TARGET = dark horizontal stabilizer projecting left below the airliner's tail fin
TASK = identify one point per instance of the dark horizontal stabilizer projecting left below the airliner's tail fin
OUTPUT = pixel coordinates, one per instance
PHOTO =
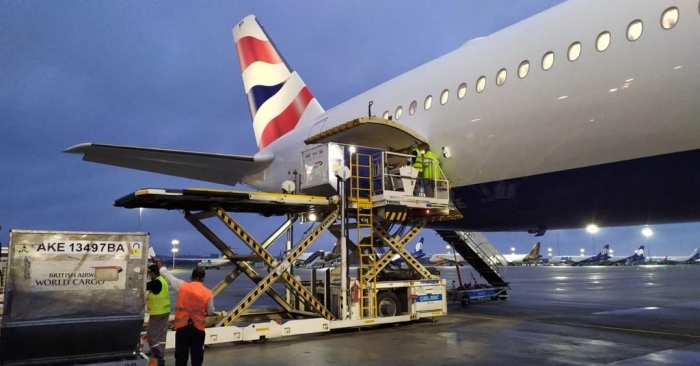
(208, 167)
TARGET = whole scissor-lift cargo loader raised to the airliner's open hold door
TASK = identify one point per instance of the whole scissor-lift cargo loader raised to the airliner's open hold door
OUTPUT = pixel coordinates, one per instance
(363, 190)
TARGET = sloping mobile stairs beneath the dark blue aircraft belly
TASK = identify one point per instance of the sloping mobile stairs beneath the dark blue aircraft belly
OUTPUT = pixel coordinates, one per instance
(479, 253)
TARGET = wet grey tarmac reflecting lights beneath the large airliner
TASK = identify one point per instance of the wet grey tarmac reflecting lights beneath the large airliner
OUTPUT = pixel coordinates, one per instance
(642, 315)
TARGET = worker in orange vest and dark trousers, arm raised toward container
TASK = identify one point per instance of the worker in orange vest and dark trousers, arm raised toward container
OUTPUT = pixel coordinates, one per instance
(194, 302)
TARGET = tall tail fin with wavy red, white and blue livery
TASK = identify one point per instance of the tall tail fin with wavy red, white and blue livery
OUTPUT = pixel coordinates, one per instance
(278, 98)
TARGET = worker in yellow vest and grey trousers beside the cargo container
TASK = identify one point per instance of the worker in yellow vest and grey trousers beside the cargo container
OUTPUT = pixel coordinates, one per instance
(158, 306)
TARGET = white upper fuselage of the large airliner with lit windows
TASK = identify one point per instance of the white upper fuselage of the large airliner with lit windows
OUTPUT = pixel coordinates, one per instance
(633, 100)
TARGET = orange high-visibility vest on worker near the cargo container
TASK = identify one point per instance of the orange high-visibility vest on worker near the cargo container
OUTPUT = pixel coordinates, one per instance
(192, 304)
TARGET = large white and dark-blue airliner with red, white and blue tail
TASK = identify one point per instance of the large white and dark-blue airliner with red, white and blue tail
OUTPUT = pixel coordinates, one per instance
(549, 123)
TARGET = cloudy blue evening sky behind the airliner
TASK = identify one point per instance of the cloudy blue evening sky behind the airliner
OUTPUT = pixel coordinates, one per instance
(165, 74)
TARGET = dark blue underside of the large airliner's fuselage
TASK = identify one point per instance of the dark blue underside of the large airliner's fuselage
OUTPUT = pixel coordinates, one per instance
(608, 195)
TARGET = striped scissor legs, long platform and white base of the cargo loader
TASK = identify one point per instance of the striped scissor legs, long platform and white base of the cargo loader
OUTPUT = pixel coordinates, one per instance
(426, 296)
